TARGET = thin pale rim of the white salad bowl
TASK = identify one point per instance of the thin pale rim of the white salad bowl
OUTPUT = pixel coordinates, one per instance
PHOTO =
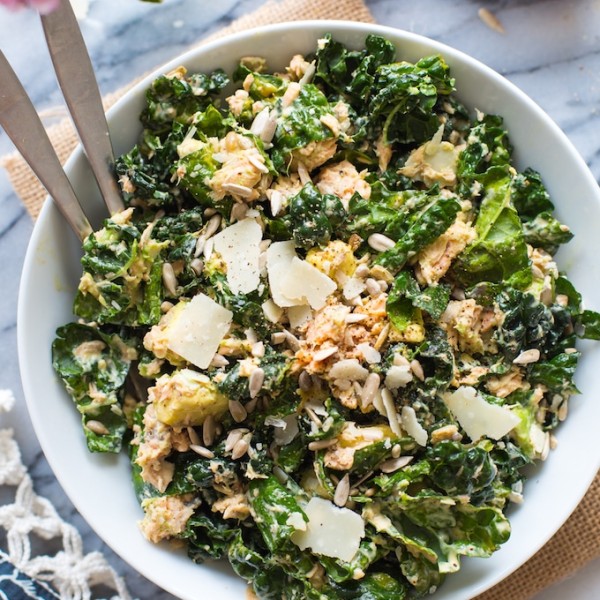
(185, 57)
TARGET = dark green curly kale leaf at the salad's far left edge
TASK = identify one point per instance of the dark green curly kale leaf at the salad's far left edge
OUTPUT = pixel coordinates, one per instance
(93, 366)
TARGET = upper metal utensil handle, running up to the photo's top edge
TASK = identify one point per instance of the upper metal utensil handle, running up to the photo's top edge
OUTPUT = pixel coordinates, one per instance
(76, 78)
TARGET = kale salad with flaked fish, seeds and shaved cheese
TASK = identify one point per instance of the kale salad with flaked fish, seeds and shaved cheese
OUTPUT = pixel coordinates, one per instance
(328, 327)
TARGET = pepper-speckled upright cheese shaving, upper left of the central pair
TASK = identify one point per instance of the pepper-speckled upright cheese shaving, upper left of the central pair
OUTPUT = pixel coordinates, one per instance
(239, 247)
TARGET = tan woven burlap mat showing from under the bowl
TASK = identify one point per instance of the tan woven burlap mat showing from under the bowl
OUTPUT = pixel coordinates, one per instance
(578, 541)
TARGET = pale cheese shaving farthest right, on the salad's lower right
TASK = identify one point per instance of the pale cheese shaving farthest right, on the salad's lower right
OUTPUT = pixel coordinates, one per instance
(478, 417)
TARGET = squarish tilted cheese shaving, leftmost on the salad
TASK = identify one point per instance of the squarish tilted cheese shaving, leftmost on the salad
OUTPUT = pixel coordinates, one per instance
(198, 330)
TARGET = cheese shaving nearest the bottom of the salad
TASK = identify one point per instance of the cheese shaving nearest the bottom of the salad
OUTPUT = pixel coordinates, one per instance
(330, 531)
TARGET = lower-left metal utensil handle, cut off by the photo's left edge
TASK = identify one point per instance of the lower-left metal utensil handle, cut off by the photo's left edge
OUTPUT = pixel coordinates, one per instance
(22, 124)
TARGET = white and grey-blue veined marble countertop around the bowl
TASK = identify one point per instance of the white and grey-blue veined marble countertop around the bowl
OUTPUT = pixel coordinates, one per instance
(550, 49)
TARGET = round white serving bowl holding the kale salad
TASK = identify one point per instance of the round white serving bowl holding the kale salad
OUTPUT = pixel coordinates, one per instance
(100, 486)
